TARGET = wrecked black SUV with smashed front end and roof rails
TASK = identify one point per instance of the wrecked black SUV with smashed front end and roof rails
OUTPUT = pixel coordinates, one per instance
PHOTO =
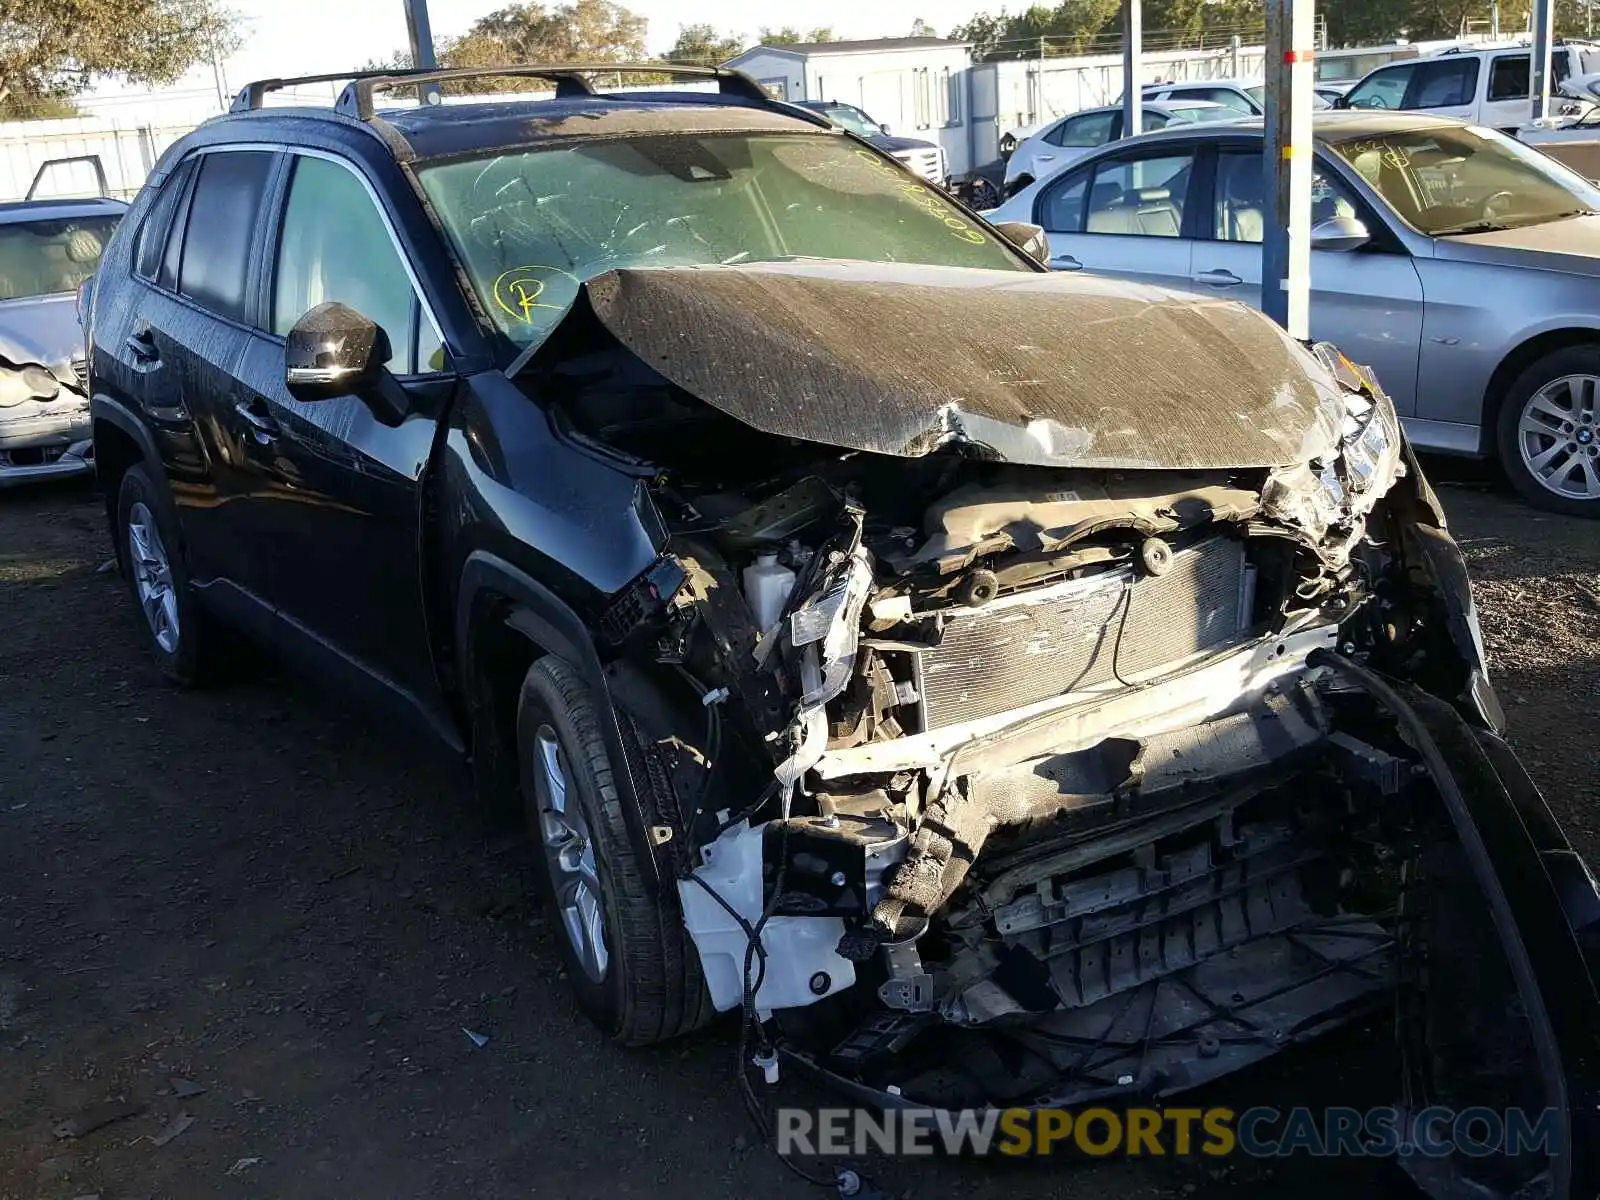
(948, 665)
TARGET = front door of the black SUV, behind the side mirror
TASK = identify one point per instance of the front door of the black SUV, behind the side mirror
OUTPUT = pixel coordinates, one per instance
(338, 494)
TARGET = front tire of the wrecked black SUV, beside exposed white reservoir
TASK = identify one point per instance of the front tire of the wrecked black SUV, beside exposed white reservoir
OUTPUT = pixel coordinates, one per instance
(650, 985)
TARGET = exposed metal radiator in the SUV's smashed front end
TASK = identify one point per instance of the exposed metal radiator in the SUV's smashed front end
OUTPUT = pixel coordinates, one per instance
(1034, 646)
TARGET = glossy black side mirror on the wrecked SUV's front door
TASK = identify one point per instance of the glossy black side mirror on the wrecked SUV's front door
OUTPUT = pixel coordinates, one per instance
(335, 351)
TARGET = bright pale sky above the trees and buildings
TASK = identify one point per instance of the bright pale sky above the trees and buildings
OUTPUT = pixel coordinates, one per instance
(306, 38)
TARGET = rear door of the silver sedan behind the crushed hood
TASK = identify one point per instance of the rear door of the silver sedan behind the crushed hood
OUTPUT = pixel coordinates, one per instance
(1124, 215)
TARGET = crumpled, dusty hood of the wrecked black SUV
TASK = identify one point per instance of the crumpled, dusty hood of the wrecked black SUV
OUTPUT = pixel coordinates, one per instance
(1031, 369)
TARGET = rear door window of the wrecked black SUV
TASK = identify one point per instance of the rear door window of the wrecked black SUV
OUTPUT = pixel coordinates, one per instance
(223, 215)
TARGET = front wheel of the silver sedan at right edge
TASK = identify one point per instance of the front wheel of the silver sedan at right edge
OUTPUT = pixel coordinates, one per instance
(1550, 433)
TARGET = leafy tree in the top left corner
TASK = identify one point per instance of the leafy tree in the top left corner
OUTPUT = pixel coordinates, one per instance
(54, 50)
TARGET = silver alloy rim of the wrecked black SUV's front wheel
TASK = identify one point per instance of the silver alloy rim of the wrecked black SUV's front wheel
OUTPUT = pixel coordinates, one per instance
(570, 854)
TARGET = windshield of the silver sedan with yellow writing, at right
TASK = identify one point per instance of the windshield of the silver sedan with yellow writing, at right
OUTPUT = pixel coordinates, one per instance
(1462, 180)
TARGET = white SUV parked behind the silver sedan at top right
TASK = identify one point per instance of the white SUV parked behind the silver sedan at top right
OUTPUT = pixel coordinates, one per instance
(1484, 87)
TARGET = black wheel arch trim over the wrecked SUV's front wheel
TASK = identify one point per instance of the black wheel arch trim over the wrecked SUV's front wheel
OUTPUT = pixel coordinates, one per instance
(551, 623)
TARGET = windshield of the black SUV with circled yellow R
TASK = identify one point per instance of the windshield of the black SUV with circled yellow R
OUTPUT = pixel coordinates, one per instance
(530, 228)
